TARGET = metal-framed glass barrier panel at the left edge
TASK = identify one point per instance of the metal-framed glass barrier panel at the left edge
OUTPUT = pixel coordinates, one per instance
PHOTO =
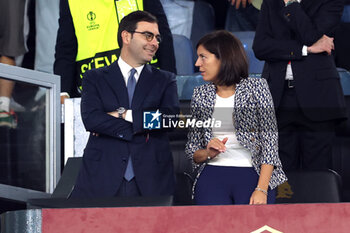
(30, 131)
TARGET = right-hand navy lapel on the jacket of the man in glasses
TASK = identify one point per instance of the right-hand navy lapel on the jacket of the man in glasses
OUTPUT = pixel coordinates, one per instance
(143, 87)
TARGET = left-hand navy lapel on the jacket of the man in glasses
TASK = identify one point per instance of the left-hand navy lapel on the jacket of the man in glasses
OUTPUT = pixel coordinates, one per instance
(116, 81)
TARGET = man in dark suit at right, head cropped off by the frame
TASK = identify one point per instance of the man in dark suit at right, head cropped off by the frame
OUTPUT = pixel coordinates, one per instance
(294, 37)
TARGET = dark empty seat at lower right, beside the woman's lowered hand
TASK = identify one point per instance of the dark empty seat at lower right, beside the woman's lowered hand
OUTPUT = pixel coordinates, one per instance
(319, 186)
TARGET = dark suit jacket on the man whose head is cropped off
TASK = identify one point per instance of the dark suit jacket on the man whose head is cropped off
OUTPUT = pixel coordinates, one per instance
(280, 35)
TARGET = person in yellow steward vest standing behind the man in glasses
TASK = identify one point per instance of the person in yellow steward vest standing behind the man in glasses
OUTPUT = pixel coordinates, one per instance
(87, 33)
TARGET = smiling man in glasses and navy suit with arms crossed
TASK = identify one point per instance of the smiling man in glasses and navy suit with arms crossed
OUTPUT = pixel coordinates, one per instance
(121, 157)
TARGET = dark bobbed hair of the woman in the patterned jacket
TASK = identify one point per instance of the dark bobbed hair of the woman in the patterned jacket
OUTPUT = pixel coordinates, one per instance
(229, 50)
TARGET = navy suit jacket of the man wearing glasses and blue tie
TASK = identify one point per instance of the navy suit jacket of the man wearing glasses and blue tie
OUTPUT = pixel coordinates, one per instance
(106, 155)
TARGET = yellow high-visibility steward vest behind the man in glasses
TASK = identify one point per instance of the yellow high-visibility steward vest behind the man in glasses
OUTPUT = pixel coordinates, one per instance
(96, 24)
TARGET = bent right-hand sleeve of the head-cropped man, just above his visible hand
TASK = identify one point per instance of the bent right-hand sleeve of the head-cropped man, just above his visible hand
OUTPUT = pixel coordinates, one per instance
(309, 30)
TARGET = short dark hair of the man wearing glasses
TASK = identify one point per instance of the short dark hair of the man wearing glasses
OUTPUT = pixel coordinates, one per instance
(129, 23)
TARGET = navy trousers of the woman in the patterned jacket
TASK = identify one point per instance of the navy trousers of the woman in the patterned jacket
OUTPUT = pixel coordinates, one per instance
(219, 185)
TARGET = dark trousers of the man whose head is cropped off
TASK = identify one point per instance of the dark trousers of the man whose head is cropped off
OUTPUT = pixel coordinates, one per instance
(303, 143)
